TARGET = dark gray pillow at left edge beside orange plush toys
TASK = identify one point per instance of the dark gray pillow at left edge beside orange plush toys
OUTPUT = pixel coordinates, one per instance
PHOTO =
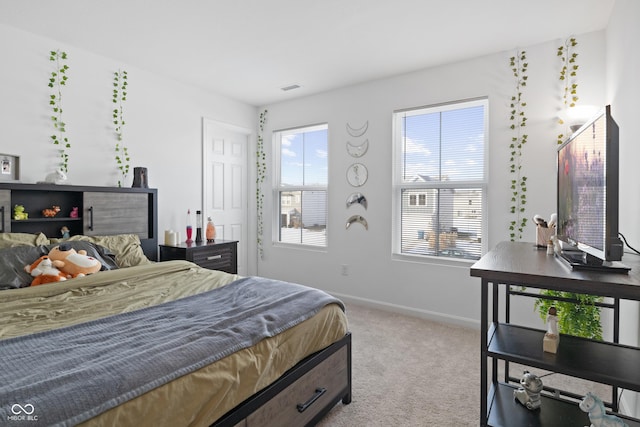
(12, 263)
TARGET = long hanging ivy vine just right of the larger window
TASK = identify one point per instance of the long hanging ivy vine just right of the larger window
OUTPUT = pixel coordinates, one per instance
(518, 120)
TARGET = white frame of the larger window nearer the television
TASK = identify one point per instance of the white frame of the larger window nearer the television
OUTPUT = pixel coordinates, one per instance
(398, 185)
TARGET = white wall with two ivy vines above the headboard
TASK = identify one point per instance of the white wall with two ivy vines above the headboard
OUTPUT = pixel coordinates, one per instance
(163, 130)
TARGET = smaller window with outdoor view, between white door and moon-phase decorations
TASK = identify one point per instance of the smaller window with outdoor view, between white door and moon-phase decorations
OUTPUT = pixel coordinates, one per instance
(301, 187)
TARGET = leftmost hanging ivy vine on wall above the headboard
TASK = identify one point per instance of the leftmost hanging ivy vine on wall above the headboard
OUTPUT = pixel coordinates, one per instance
(57, 79)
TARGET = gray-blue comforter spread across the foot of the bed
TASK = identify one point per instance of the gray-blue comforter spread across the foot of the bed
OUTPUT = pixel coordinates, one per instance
(68, 375)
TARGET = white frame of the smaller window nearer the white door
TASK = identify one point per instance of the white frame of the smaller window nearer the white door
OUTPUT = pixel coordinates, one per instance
(278, 188)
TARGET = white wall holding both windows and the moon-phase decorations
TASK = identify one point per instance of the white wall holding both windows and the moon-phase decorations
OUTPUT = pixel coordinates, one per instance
(433, 289)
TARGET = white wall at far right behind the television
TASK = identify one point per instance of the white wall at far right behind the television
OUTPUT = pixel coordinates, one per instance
(623, 92)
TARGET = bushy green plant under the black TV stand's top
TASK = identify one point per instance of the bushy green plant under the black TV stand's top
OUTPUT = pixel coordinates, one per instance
(580, 318)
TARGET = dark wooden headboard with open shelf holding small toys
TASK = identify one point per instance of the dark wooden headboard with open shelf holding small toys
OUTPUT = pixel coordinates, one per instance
(101, 211)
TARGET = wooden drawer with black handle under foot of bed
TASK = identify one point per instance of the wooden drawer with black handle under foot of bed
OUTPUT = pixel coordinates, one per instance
(301, 401)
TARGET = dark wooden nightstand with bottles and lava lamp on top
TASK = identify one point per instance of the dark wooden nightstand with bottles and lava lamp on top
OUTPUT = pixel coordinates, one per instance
(219, 255)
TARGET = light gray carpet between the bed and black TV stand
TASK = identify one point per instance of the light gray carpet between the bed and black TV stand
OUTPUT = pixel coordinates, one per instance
(409, 371)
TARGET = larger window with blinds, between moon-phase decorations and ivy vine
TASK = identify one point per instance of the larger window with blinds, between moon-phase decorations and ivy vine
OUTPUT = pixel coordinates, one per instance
(440, 179)
